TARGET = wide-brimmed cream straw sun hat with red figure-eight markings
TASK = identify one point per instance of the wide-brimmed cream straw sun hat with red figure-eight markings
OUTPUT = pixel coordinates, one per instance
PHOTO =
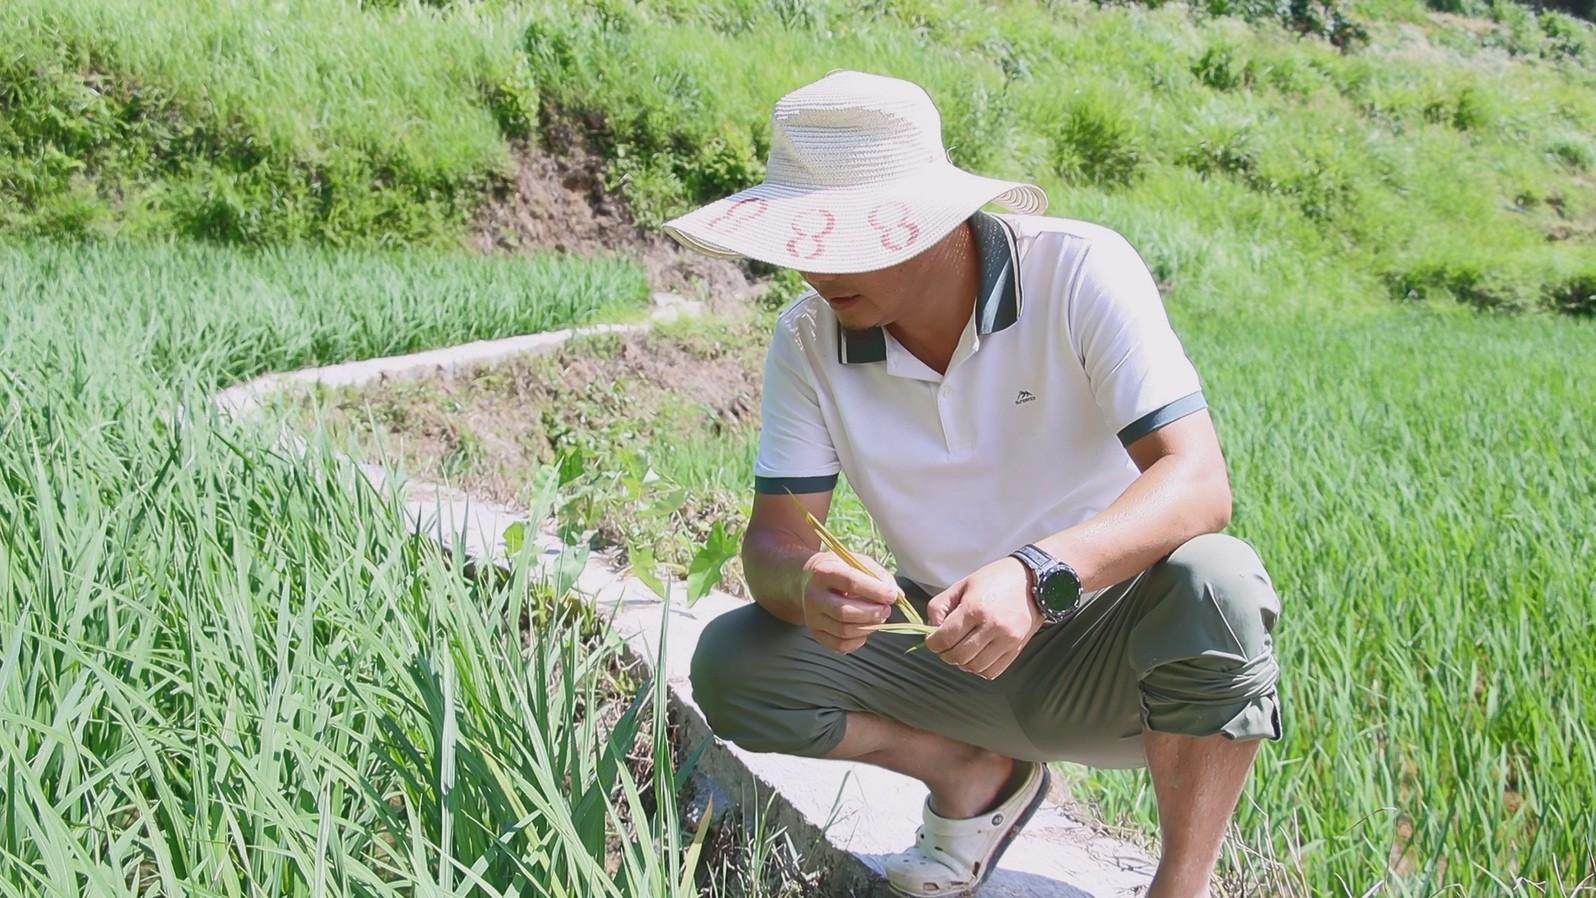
(858, 179)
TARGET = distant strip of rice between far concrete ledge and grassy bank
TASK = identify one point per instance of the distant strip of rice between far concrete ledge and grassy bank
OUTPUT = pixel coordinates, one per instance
(223, 317)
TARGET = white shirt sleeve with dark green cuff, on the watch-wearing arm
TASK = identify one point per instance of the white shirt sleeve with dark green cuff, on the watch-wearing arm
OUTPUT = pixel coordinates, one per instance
(1134, 361)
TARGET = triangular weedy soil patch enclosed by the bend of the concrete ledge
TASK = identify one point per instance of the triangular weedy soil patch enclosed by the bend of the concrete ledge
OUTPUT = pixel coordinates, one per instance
(670, 398)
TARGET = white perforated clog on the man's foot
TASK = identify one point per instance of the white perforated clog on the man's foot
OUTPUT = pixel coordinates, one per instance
(954, 857)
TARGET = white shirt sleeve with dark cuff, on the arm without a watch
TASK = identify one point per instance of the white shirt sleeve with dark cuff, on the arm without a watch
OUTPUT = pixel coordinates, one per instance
(796, 446)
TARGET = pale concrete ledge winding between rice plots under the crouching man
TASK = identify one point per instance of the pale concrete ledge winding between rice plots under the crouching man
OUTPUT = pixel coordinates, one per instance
(843, 817)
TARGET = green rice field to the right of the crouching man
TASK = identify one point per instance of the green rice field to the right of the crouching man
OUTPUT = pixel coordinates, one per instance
(1418, 487)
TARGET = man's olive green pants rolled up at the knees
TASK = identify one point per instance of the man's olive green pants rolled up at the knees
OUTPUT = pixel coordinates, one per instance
(1182, 648)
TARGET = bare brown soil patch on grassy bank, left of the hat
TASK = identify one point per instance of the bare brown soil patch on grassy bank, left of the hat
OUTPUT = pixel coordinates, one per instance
(561, 202)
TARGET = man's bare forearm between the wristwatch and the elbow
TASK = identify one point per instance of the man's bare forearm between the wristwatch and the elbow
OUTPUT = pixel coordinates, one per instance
(1174, 500)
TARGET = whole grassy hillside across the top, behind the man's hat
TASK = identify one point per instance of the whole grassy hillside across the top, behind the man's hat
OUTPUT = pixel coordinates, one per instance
(1442, 157)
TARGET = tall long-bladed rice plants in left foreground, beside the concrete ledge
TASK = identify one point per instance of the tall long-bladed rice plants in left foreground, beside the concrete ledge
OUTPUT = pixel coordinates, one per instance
(279, 688)
